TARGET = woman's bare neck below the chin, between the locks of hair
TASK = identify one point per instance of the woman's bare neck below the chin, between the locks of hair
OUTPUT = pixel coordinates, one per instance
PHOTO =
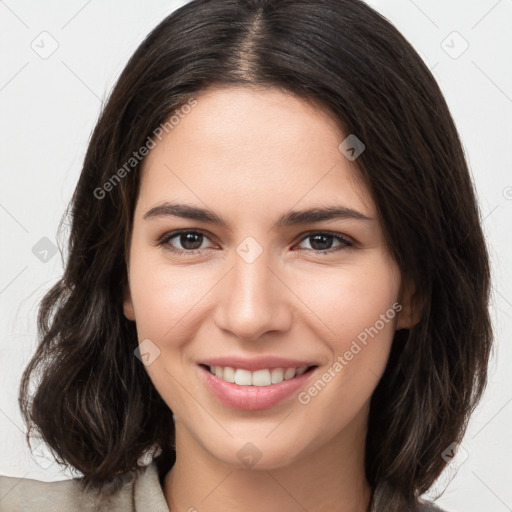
(330, 478)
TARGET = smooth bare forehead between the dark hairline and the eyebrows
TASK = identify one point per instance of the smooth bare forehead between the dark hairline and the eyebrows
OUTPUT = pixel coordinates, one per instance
(260, 148)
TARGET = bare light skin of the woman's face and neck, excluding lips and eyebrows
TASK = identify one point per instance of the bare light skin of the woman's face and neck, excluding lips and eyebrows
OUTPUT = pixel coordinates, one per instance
(250, 155)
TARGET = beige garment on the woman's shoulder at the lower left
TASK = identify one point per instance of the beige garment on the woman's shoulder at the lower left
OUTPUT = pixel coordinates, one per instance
(141, 491)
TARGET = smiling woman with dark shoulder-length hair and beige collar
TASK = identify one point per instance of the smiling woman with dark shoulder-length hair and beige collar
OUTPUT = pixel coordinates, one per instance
(277, 283)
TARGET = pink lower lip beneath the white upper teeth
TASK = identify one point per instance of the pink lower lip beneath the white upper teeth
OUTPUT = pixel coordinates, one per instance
(252, 398)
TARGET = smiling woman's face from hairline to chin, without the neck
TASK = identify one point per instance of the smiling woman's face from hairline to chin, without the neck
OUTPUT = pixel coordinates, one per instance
(320, 292)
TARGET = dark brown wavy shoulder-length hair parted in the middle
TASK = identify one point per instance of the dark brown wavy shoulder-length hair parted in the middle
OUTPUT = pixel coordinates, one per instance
(94, 404)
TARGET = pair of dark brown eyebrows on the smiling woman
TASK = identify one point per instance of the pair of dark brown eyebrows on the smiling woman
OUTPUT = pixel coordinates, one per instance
(288, 219)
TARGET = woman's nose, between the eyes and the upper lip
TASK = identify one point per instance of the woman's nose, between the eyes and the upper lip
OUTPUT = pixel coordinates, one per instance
(254, 300)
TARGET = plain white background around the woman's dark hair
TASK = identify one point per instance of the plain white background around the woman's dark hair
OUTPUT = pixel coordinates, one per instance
(49, 107)
